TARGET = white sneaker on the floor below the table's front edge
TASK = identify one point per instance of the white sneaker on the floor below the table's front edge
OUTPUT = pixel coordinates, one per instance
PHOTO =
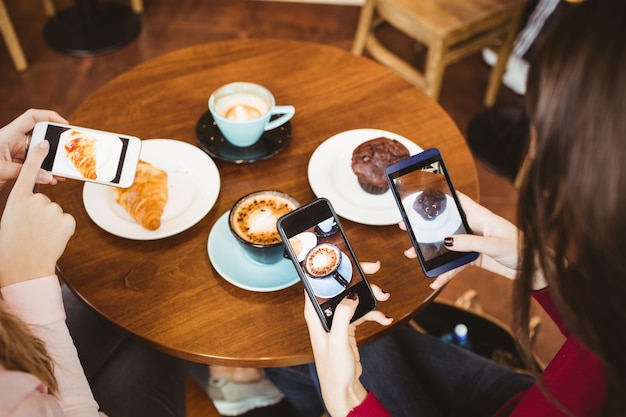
(236, 398)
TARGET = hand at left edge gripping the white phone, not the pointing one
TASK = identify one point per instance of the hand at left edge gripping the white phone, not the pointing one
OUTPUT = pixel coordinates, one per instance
(13, 145)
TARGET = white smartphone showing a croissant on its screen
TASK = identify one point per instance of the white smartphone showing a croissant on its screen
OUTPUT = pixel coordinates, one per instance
(88, 154)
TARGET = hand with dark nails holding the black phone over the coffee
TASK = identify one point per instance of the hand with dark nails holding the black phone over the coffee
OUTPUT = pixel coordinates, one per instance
(336, 354)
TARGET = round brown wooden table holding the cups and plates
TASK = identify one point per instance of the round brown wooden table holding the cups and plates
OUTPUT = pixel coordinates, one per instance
(165, 292)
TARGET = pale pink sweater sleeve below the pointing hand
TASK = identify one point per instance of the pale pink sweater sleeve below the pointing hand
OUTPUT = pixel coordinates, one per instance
(39, 304)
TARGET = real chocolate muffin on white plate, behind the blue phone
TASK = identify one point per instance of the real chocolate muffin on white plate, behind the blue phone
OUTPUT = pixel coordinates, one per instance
(370, 159)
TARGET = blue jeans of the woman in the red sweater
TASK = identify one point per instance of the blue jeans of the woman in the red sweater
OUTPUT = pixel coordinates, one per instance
(413, 374)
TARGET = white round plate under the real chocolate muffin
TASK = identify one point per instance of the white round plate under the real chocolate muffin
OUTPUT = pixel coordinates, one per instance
(330, 175)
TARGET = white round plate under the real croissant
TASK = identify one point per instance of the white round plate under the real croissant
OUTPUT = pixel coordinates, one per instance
(193, 187)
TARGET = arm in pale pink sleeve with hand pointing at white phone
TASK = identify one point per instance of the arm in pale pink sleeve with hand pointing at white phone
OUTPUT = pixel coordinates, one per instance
(33, 235)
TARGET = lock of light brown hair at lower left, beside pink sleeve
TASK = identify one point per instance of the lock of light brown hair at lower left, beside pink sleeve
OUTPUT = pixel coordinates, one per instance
(21, 351)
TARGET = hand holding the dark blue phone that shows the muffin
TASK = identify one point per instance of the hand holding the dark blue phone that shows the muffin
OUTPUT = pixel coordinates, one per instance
(495, 239)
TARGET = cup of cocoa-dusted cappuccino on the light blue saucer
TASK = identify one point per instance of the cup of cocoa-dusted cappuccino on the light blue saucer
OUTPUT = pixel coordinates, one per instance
(252, 221)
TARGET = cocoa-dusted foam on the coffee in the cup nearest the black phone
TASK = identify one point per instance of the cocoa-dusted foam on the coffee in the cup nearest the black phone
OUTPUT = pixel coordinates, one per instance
(255, 218)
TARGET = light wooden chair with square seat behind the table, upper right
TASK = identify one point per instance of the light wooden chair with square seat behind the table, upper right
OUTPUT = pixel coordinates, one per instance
(451, 29)
